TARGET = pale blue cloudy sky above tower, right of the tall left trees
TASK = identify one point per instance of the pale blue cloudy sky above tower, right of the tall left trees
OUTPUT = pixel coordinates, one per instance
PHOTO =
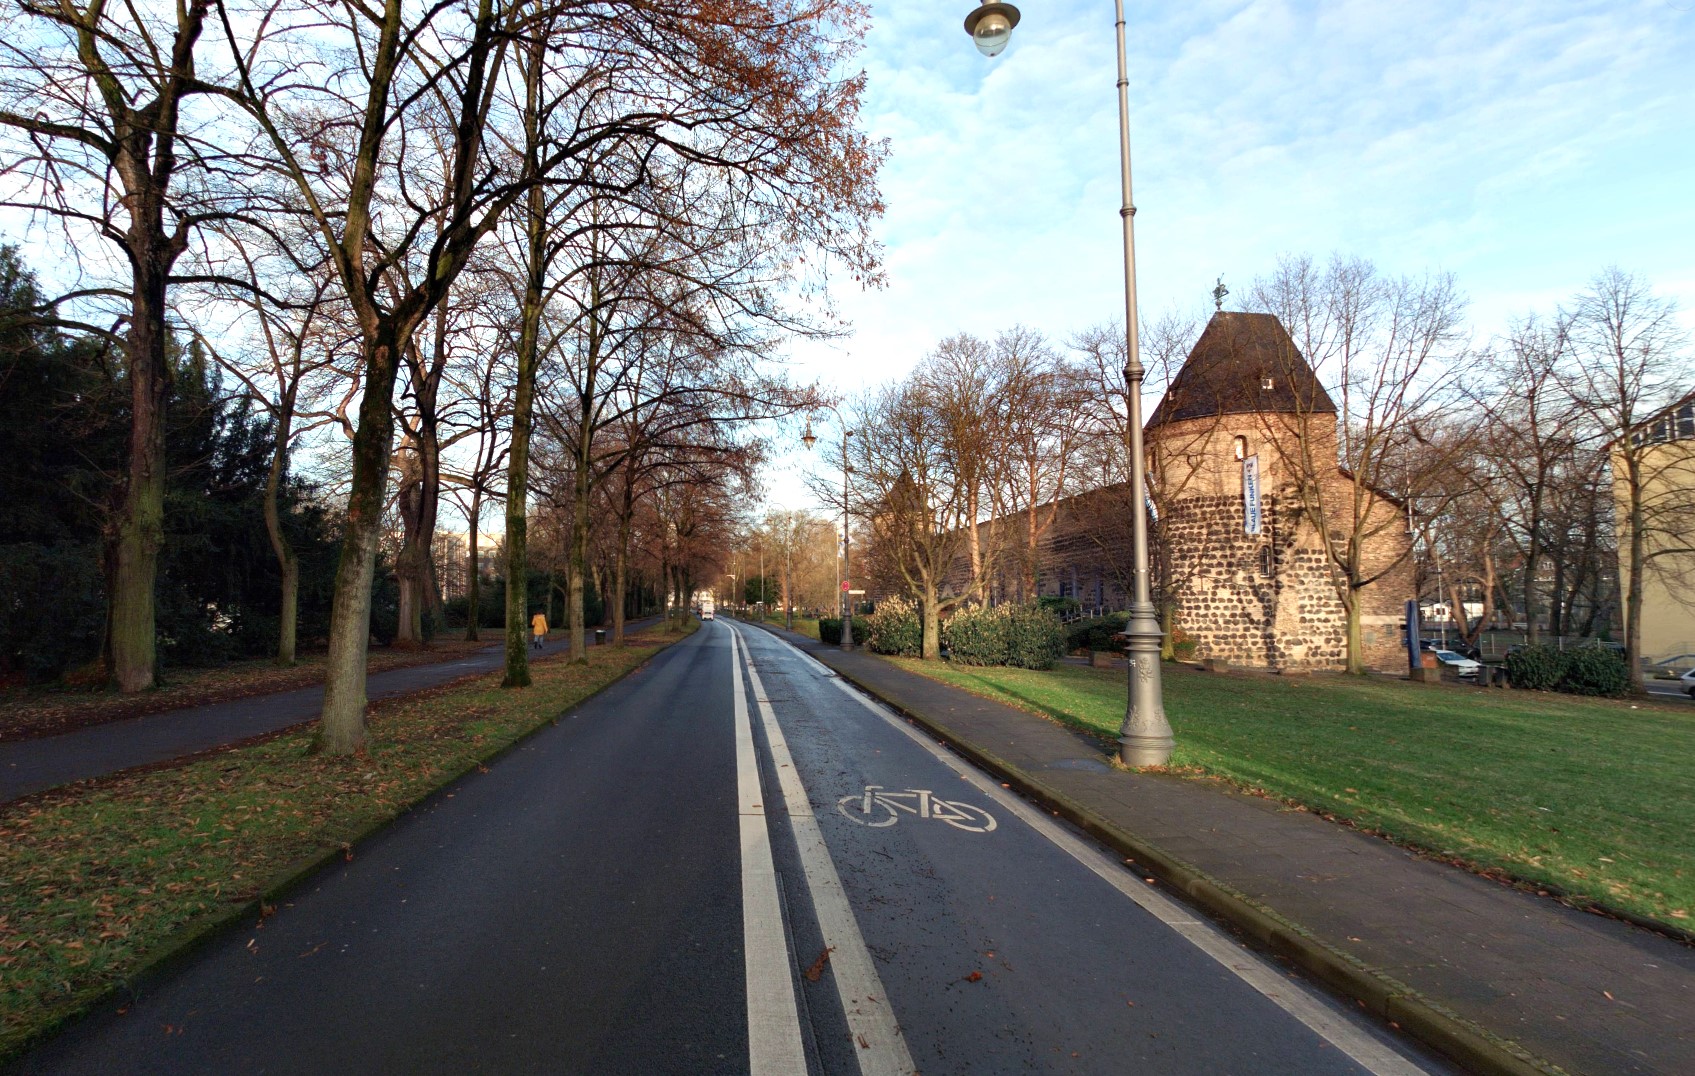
(1520, 147)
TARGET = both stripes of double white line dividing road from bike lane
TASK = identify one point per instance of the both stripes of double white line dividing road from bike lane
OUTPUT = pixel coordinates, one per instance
(774, 1024)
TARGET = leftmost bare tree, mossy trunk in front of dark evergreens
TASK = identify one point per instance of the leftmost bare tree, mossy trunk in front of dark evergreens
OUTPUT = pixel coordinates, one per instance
(99, 125)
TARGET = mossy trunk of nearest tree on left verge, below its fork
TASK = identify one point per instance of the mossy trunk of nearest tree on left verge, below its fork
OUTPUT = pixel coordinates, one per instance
(350, 621)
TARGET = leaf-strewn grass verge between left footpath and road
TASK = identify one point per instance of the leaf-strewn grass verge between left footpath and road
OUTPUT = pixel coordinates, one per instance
(99, 880)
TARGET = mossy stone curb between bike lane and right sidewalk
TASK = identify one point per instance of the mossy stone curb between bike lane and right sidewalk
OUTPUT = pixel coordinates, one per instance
(1381, 994)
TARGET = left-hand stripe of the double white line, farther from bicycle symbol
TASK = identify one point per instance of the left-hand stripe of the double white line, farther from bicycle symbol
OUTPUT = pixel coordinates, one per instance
(774, 1023)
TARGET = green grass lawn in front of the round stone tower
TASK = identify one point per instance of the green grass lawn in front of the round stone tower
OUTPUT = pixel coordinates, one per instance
(1596, 797)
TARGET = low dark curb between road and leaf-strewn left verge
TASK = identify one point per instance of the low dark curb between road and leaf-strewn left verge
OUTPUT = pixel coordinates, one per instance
(197, 935)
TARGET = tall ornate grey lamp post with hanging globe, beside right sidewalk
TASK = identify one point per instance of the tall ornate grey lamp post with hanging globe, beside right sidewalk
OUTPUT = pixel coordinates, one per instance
(1147, 736)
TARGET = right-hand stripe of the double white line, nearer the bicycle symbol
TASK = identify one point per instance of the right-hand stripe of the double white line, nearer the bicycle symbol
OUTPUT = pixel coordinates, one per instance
(882, 1050)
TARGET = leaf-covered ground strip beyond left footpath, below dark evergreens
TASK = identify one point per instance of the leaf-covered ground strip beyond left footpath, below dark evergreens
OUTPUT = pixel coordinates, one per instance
(53, 709)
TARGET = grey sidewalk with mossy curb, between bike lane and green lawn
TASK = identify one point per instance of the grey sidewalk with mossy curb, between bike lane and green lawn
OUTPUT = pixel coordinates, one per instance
(1496, 979)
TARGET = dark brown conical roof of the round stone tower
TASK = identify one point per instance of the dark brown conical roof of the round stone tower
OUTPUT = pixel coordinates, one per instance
(1243, 365)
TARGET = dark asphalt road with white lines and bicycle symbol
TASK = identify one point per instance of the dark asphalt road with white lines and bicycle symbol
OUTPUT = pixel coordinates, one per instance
(728, 863)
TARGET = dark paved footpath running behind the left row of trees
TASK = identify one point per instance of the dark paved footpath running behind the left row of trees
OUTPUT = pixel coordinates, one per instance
(38, 765)
